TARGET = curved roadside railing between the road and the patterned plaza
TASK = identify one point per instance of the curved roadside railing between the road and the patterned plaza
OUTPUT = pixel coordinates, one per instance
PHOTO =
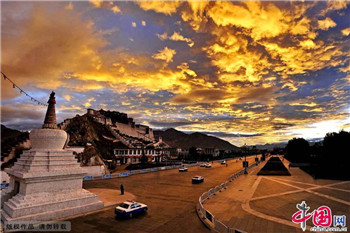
(219, 226)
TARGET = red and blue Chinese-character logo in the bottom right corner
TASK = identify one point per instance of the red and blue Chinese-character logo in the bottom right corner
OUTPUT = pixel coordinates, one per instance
(321, 218)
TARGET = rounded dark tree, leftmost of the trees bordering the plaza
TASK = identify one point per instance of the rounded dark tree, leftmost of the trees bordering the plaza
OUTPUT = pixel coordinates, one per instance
(298, 150)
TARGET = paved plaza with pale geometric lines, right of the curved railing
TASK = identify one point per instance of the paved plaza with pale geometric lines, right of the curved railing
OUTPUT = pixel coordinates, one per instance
(266, 204)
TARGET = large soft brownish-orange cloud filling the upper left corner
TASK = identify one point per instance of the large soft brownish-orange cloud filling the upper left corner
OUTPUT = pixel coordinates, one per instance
(31, 57)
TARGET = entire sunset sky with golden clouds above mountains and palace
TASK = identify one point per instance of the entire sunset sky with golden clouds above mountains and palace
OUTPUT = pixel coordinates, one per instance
(250, 72)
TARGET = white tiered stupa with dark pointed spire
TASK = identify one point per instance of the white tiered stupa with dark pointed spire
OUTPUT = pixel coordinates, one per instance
(46, 181)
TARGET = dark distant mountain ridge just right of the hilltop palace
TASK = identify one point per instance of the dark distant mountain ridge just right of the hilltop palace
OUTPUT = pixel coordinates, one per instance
(178, 139)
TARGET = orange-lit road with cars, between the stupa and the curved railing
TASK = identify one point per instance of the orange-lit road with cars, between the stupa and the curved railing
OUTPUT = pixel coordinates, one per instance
(170, 196)
